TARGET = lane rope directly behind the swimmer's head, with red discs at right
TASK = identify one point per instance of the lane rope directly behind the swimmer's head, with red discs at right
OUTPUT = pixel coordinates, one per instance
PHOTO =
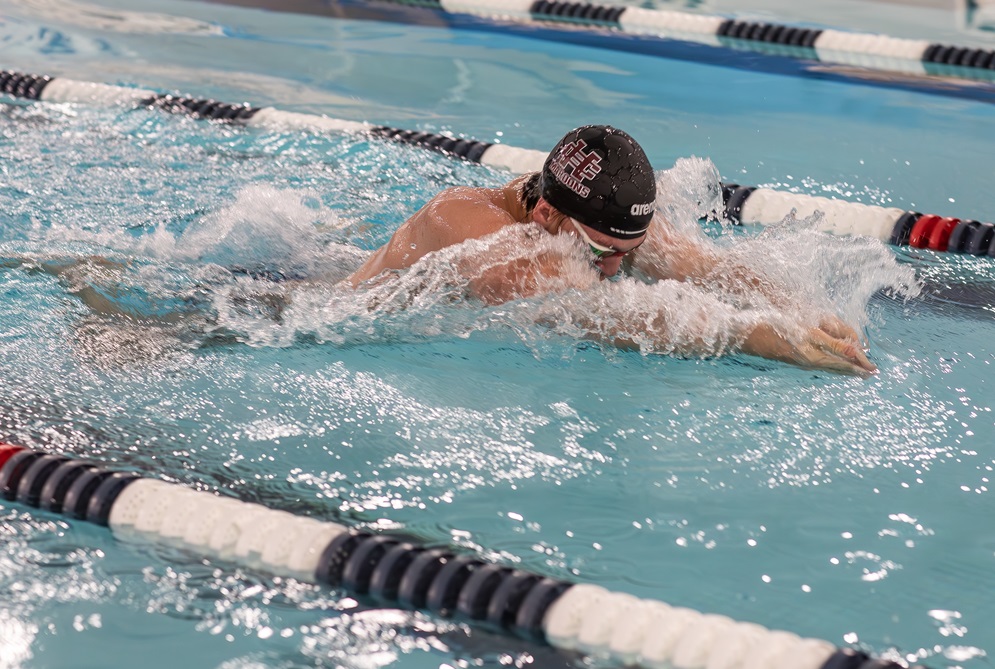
(742, 204)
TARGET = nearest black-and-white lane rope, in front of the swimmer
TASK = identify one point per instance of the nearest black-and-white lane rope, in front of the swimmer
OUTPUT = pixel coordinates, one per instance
(396, 570)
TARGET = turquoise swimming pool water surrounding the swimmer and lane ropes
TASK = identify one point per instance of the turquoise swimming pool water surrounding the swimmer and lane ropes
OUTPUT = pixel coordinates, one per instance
(844, 509)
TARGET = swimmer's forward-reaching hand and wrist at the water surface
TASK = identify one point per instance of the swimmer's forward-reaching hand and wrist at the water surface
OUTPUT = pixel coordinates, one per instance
(817, 350)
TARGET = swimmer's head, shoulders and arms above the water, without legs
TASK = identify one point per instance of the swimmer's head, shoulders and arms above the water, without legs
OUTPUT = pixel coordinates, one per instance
(598, 185)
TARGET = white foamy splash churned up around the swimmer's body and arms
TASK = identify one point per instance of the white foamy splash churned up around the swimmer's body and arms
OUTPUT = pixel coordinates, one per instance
(267, 270)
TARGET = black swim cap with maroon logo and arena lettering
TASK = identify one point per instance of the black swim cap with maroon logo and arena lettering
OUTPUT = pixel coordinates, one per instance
(600, 176)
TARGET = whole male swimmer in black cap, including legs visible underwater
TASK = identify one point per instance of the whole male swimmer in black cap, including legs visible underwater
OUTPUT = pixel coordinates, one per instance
(596, 185)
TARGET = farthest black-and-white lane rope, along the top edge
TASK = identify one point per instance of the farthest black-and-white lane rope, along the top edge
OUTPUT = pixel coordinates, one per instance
(866, 50)
